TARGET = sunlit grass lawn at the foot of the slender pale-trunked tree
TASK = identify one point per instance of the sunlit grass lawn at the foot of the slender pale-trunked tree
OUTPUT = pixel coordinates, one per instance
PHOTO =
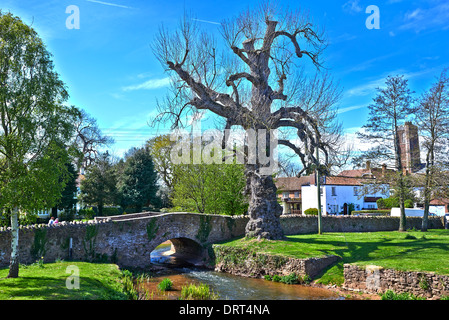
(48, 282)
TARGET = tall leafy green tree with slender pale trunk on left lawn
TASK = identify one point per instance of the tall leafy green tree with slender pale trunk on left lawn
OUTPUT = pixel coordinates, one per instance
(34, 127)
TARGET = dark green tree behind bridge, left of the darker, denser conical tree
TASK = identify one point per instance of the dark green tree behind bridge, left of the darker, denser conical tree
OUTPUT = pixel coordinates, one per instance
(99, 187)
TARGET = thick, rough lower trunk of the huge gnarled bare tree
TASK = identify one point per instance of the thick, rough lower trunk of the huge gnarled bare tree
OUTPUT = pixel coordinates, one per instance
(264, 210)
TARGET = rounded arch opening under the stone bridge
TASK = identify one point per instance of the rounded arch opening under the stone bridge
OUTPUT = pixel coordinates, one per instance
(177, 252)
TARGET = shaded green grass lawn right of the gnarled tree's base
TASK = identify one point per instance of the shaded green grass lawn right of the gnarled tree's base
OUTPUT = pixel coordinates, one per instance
(411, 251)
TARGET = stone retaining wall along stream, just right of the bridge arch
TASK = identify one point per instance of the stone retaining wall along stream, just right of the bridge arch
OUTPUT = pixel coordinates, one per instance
(247, 263)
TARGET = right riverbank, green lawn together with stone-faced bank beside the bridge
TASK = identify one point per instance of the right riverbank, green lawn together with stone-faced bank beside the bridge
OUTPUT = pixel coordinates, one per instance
(417, 251)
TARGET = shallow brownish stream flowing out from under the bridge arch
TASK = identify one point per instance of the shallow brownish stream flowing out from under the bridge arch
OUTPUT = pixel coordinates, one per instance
(227, 286)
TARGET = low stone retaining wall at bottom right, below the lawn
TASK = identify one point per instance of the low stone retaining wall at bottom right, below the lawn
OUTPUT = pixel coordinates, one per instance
(375, 279)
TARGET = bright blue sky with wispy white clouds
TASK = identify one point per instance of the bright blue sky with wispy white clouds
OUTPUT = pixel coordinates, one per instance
(111, 72)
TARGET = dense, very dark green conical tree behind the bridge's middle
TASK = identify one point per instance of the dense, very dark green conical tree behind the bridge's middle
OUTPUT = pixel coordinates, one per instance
(137, 184)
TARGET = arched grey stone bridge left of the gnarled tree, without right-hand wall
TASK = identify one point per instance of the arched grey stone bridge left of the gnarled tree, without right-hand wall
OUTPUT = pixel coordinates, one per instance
(127, 242)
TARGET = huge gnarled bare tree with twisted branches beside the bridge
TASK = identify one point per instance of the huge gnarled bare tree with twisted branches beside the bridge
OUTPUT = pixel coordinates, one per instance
(254, 83)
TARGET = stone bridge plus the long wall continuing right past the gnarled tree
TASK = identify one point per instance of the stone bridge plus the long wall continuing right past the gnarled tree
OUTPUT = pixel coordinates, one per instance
(128, 240)
